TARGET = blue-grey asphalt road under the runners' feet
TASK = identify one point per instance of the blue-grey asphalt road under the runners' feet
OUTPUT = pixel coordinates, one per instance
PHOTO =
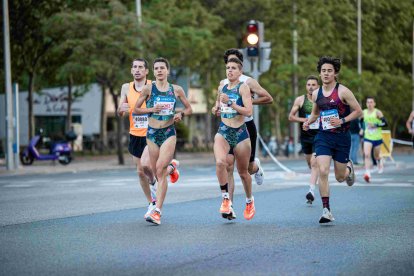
(92, 224)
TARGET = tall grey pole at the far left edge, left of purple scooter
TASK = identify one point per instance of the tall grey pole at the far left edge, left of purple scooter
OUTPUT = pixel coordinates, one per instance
(9, 100)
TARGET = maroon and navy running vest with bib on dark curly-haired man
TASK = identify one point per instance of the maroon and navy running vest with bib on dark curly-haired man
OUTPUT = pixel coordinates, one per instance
(331, 107)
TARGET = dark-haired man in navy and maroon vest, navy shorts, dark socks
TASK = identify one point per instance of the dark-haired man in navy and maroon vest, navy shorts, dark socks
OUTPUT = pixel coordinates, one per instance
(333, 104)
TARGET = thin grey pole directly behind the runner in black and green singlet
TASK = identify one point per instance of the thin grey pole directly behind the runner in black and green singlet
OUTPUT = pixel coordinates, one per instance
(295, 76)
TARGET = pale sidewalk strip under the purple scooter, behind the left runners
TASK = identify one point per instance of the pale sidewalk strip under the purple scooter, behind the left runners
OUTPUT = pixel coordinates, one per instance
(93, 163)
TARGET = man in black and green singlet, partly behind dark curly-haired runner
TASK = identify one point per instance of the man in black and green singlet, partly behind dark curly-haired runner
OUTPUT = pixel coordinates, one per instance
(303, 105)
